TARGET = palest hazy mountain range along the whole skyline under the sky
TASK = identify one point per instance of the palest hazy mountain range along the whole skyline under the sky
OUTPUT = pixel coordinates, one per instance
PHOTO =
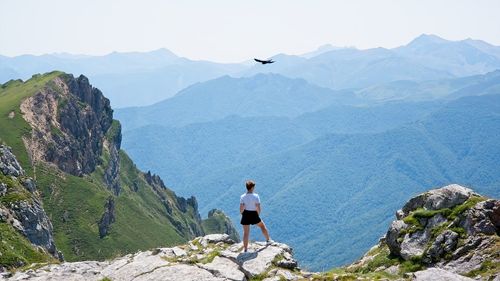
(140, 79)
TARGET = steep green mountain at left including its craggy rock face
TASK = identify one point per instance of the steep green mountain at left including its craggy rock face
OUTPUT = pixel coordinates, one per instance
(97, 203)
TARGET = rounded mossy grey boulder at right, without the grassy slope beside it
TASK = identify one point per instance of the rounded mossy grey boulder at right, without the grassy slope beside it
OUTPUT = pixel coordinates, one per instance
(451, 228)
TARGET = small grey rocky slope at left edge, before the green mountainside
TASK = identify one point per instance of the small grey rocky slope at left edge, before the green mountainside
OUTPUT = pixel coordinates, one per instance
(21, 205)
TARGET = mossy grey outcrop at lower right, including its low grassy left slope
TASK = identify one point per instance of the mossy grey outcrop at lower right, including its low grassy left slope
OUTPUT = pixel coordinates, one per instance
(452, 231)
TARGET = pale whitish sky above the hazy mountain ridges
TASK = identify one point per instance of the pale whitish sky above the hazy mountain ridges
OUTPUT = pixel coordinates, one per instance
(233, 30)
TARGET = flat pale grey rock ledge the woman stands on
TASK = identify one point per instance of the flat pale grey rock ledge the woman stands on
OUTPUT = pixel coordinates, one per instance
(210, 258)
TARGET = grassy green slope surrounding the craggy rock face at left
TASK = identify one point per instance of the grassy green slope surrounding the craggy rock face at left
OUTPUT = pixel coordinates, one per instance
(145, 213)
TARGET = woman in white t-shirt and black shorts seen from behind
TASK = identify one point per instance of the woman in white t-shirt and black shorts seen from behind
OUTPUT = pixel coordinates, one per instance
(250, 211)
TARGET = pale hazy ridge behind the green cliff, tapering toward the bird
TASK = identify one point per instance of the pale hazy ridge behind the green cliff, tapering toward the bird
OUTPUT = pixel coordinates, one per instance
(127, 78)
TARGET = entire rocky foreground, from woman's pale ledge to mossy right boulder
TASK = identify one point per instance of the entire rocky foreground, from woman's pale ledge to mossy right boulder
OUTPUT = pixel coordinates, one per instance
(449, 233)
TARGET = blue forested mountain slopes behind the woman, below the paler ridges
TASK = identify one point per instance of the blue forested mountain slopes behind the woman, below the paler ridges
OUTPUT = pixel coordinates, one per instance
(339, 169)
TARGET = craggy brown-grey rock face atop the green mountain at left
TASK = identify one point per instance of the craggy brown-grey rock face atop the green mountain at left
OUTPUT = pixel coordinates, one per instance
(69, 119)
